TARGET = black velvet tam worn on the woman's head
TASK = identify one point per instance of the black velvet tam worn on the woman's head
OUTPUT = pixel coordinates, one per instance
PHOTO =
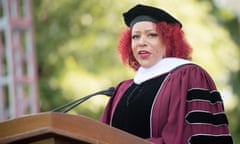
(147, 13)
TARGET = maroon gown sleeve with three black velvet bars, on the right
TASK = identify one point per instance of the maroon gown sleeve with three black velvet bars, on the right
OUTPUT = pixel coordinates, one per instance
(189, 110)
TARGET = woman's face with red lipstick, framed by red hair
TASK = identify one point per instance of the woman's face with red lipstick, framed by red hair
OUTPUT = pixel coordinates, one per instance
(147, 45)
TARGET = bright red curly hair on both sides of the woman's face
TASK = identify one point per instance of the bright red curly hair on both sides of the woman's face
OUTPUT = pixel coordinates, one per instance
(172, 36)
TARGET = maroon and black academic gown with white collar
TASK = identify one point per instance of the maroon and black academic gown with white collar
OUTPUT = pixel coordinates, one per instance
(186, 107)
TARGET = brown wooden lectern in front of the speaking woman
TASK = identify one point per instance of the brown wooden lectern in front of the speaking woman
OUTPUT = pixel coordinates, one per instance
(60, 128)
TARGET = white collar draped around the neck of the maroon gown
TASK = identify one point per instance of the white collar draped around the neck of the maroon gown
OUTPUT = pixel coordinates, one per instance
(163, 66)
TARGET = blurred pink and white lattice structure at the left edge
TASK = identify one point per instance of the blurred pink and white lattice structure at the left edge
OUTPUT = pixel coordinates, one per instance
(18, 76)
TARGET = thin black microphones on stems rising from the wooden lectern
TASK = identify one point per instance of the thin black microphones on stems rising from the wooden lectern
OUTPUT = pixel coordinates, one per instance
(69, 106)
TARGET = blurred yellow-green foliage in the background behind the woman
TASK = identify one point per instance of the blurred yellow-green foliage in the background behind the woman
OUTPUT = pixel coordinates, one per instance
(76, 44)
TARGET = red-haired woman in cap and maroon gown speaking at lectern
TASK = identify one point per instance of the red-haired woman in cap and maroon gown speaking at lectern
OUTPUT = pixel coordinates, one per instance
(170, 100)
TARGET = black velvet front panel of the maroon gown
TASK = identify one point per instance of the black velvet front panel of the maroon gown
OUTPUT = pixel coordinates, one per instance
(133, 111)
